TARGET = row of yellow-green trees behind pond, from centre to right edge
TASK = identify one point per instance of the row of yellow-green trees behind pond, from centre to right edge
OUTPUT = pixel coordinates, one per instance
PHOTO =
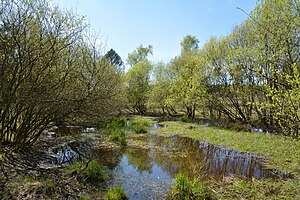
(250, 76)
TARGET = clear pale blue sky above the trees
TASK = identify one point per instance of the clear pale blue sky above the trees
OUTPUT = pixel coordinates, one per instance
(125, 24)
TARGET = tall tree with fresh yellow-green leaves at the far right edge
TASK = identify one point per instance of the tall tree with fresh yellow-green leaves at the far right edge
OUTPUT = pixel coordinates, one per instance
(277, 35)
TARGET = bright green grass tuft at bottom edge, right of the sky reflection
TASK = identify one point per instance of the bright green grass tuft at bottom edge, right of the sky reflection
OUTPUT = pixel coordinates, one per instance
(185, 189)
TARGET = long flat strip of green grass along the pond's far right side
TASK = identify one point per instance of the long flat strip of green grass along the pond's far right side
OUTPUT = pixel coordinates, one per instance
(282, 153)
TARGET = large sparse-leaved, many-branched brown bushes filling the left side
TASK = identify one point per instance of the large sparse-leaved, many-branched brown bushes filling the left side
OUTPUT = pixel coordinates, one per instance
(51, 71)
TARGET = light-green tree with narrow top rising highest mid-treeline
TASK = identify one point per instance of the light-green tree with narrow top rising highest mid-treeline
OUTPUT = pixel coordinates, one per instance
(188, 86)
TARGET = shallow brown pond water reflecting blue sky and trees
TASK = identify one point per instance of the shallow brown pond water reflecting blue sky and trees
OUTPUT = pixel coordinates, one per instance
(147, 166)
